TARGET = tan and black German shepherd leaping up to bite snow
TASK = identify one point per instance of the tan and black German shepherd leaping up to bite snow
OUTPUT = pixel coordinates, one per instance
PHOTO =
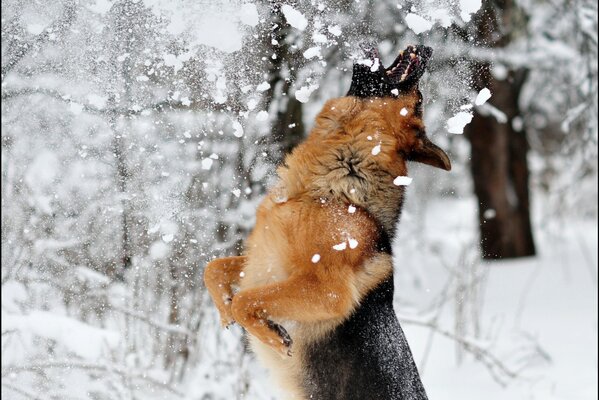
(314, 289)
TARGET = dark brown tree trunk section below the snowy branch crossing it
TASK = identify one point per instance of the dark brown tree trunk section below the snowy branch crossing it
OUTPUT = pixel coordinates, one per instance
(500, 172)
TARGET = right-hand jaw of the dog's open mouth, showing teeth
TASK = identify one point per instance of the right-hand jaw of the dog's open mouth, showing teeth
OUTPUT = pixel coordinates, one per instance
(410, 64)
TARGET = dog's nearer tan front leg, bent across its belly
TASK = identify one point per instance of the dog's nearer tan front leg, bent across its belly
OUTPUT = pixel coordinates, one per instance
(302, 298)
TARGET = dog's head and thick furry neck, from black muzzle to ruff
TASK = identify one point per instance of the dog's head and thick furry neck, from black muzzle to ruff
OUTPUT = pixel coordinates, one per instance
(362, 141)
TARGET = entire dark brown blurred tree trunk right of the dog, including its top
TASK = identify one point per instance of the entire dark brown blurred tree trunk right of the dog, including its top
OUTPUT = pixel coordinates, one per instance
(498, 164)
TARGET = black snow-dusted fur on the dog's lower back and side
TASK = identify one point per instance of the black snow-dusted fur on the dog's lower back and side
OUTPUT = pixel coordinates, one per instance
(365, 358)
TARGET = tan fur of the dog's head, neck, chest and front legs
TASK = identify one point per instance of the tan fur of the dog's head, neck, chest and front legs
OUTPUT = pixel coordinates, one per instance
(307, 213)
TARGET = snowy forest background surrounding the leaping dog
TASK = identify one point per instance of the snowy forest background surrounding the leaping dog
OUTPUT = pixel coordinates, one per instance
(138, 137)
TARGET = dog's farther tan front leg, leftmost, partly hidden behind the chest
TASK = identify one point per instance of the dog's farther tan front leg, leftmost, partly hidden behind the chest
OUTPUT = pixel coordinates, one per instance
(219, 276)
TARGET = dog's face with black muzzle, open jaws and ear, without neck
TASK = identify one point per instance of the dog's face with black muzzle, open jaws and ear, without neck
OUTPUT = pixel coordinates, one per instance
(393, 94)
